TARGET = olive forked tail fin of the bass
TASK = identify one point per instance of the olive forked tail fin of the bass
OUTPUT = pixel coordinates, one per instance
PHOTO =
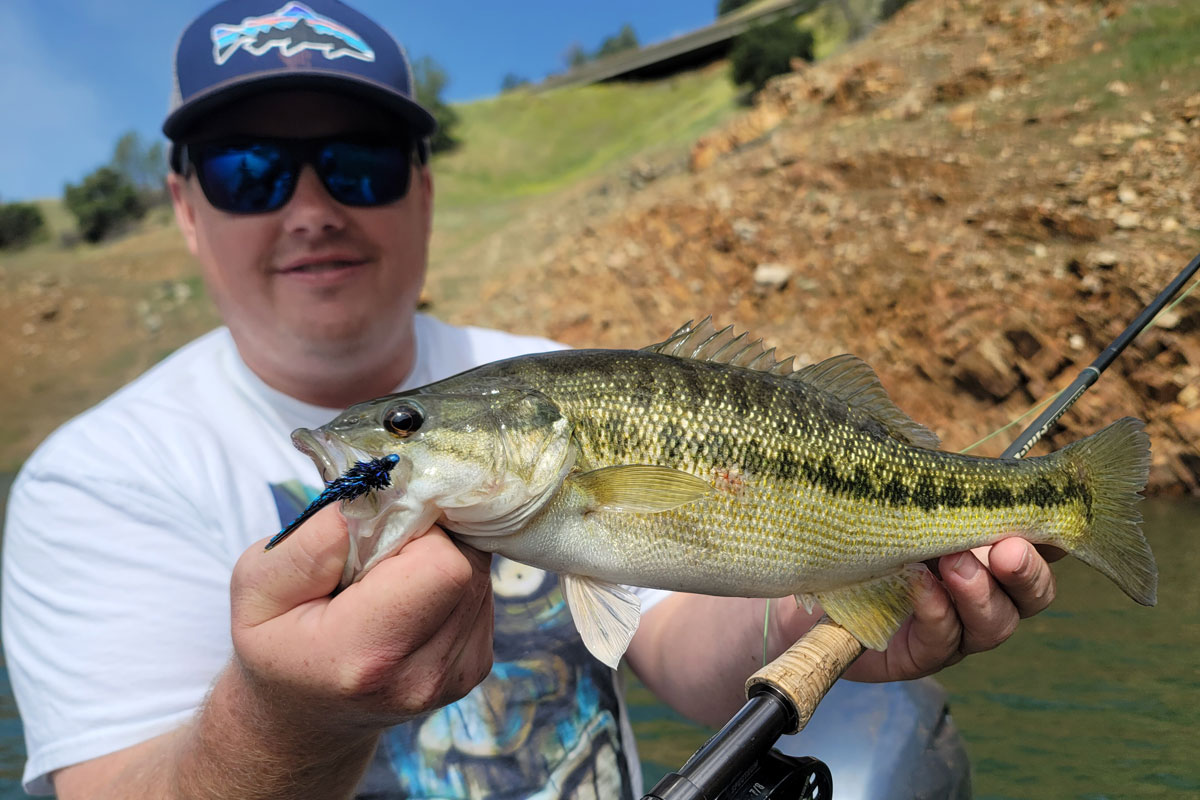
(1117, 465)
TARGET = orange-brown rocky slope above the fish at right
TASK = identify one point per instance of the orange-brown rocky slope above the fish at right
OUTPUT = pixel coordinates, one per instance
(971, 200)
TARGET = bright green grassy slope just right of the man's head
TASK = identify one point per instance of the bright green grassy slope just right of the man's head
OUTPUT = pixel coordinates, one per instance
(521, 148)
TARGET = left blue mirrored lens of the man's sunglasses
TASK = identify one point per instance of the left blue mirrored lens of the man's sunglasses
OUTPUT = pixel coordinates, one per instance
(247, 179)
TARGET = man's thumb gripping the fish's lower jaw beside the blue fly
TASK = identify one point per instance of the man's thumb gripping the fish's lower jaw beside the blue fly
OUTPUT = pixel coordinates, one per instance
(303, 568)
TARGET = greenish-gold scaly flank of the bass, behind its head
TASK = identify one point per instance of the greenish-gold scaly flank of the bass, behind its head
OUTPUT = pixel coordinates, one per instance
(796, 520)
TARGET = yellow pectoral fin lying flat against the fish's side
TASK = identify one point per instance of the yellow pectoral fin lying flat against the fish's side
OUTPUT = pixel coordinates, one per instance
(639, 489)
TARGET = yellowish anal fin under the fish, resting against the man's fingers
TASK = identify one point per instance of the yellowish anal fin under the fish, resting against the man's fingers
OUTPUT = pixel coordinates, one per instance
(875, 610)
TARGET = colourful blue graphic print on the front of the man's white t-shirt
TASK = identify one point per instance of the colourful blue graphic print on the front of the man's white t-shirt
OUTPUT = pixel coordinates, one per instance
(545, 724)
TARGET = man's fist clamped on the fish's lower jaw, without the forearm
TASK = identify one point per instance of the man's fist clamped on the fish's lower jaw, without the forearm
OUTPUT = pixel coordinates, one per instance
(413, 635)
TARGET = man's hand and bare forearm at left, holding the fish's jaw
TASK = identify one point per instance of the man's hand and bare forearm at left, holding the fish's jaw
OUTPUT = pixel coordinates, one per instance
(314, 678)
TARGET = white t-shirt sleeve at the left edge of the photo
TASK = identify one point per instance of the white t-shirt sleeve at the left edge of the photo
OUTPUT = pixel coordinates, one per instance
(116, 611)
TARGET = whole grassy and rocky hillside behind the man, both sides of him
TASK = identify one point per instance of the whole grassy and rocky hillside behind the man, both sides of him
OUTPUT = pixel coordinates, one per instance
(975, 199)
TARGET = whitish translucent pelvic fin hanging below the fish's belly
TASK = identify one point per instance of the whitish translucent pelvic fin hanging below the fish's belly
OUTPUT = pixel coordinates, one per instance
(607, 616)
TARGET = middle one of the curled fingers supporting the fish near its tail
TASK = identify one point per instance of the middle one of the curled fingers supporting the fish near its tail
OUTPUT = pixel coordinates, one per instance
(988, 615)
